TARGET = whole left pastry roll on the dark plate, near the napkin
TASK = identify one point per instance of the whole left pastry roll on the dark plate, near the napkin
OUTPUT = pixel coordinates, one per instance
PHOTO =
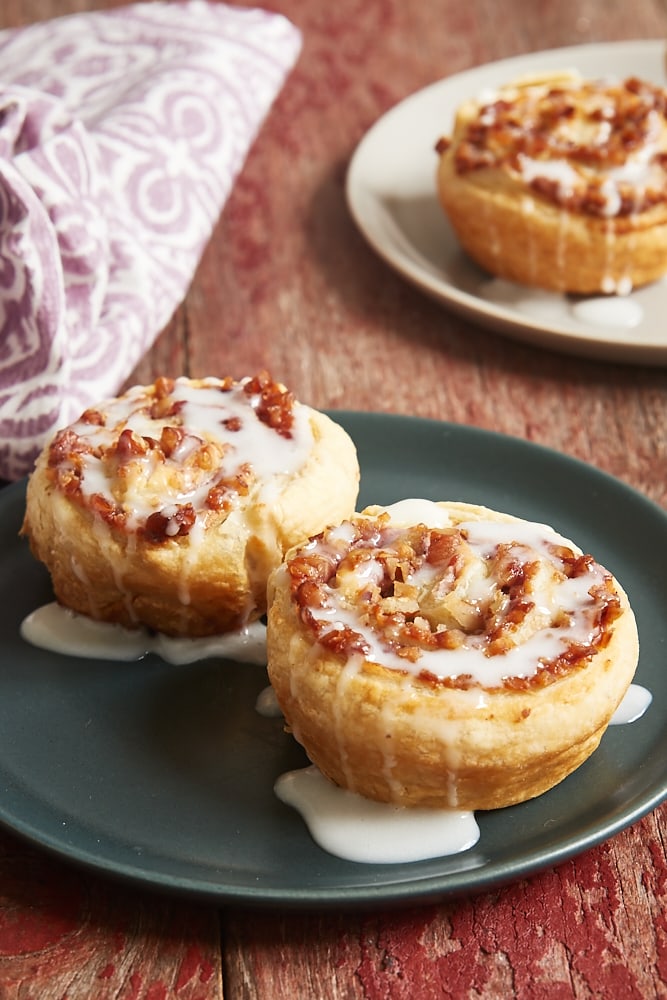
(168, 506)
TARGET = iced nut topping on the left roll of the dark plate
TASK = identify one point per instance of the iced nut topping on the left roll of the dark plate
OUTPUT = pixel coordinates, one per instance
(148, 453)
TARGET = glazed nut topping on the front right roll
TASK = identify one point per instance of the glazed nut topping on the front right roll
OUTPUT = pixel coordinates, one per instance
(419, 590)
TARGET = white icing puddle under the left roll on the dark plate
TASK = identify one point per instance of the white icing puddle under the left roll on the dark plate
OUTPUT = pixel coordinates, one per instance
(59, 630)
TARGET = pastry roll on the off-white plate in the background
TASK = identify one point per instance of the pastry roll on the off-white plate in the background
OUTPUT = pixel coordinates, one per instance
(560, 182)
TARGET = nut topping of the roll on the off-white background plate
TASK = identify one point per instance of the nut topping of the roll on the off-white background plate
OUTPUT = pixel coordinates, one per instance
(589, 130)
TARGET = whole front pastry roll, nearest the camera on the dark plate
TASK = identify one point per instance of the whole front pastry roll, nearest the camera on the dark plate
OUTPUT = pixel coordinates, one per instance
(446, 655)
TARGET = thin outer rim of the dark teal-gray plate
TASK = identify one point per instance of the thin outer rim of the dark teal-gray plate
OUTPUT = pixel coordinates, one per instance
(408, 891)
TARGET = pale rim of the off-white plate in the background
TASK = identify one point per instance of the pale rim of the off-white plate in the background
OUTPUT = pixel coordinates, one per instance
(494, 316)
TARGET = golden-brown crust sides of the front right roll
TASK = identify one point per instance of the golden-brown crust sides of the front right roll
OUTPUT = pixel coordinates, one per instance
(400, 737)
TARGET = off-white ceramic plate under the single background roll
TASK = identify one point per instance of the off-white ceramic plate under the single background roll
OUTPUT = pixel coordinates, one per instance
(392, 196)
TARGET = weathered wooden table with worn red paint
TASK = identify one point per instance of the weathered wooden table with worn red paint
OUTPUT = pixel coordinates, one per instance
(287, 282)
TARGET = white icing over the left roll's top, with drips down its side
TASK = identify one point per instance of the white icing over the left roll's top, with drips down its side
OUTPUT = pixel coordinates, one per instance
(187, 449)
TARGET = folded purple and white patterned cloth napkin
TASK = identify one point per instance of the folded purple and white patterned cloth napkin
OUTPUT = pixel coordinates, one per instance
(121, 134)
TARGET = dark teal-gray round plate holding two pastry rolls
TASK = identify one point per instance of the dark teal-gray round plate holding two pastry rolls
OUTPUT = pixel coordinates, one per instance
(164, 774)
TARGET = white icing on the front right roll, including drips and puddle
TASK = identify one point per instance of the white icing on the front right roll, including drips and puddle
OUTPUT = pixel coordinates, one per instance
(353, 828)
